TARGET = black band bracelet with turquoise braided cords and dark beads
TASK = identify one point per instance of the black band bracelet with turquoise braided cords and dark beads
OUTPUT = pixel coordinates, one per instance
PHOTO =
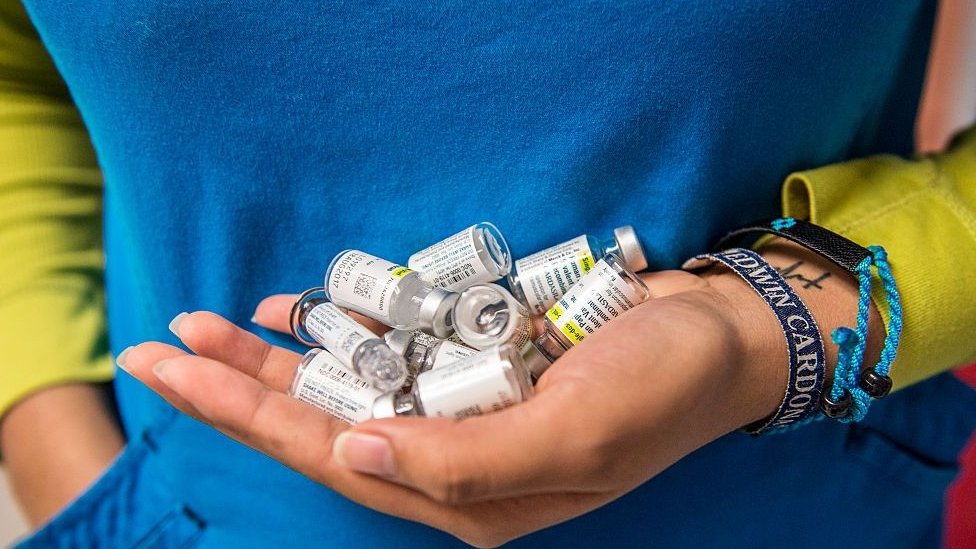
(850, 395)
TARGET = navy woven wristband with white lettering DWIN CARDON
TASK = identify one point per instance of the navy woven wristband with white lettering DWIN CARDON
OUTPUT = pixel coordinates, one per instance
(806, 350)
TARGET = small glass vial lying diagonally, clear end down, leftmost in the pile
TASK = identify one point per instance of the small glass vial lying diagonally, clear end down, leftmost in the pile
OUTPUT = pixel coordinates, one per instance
(316, 320)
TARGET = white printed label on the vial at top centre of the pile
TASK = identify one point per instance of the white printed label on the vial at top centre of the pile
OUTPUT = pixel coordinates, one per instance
(452, 263)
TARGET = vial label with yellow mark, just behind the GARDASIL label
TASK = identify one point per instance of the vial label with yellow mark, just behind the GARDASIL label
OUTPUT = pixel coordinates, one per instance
(547, 275)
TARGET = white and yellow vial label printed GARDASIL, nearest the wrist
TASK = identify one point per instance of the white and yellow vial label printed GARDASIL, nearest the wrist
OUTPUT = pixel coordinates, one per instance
(602, 295)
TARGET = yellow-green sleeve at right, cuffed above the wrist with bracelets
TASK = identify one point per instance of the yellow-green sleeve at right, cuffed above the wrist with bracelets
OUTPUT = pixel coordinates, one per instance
(923, 211)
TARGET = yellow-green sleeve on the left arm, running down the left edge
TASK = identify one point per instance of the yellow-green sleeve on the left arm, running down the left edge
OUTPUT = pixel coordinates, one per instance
(52, 318)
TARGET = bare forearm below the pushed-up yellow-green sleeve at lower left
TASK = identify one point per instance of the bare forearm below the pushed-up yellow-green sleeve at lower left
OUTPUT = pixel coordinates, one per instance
(55, 443)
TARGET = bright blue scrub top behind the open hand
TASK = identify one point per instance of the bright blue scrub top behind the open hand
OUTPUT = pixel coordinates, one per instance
(244, 144)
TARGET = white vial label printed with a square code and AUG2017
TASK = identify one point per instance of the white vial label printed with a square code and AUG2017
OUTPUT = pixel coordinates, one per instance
(365, 283)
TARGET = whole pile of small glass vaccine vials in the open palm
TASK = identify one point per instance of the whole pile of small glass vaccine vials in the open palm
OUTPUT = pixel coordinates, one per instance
(460, 344)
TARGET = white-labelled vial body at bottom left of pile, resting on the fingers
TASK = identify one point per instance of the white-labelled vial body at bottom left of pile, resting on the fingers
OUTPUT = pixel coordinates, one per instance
(324, 382)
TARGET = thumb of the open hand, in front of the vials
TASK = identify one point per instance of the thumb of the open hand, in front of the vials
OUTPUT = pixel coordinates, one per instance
(518, 451)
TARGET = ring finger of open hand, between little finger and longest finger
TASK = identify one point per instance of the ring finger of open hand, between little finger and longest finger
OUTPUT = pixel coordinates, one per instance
(212, 336)
